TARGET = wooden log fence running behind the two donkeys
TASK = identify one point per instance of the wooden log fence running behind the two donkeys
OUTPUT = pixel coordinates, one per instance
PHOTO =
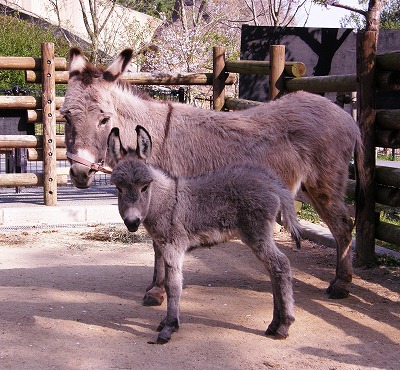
(283, 77)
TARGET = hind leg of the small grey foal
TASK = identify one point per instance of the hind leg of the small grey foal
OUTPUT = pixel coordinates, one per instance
(278, 267)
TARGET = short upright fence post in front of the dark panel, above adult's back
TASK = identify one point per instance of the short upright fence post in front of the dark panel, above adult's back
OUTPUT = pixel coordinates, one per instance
(276, 75)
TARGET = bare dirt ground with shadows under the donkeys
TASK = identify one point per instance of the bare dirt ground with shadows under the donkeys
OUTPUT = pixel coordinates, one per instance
(71, 299)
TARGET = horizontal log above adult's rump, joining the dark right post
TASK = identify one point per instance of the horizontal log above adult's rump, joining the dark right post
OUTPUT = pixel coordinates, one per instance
(320, 84)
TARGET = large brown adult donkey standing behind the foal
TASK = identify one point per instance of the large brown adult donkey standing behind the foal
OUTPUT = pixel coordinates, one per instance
(306, 139)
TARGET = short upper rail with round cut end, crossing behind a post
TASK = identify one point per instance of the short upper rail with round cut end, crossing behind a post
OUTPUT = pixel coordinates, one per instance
(292, 69)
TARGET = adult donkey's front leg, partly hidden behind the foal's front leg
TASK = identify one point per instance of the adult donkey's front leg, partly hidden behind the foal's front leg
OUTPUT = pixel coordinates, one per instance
(155, 291)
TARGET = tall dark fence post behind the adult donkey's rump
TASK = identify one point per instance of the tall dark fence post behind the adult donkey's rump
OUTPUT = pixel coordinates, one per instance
(366, 96)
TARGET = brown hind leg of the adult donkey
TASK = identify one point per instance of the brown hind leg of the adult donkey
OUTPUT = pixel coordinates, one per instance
(334, 212)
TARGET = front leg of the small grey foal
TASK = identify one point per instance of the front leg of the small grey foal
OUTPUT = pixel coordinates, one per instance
(173, 287)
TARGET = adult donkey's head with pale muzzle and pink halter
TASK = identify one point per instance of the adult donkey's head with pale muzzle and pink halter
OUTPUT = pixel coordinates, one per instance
(90, 111)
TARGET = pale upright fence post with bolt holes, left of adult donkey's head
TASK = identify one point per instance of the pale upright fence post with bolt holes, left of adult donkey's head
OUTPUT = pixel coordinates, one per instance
(49, 125)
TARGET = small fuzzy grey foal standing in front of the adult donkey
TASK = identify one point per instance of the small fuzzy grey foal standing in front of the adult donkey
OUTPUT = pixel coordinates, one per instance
(179, 213)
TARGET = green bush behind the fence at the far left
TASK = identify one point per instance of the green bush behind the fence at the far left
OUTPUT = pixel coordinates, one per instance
(20, 38)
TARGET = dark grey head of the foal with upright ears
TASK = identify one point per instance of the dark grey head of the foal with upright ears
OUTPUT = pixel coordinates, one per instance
(132, 176)
